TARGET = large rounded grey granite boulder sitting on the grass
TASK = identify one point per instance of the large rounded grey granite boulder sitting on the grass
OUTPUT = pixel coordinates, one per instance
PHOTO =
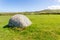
(19, 21)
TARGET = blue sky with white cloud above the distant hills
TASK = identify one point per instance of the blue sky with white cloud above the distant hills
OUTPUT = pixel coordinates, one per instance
(27, 5)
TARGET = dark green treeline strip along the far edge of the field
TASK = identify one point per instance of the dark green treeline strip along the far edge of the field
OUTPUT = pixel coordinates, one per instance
(28, 13)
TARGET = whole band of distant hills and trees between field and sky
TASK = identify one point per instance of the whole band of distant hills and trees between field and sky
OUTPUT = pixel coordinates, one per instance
(45, 11)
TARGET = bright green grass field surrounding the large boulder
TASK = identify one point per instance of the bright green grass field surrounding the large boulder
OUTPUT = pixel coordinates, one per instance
(44, 27)
